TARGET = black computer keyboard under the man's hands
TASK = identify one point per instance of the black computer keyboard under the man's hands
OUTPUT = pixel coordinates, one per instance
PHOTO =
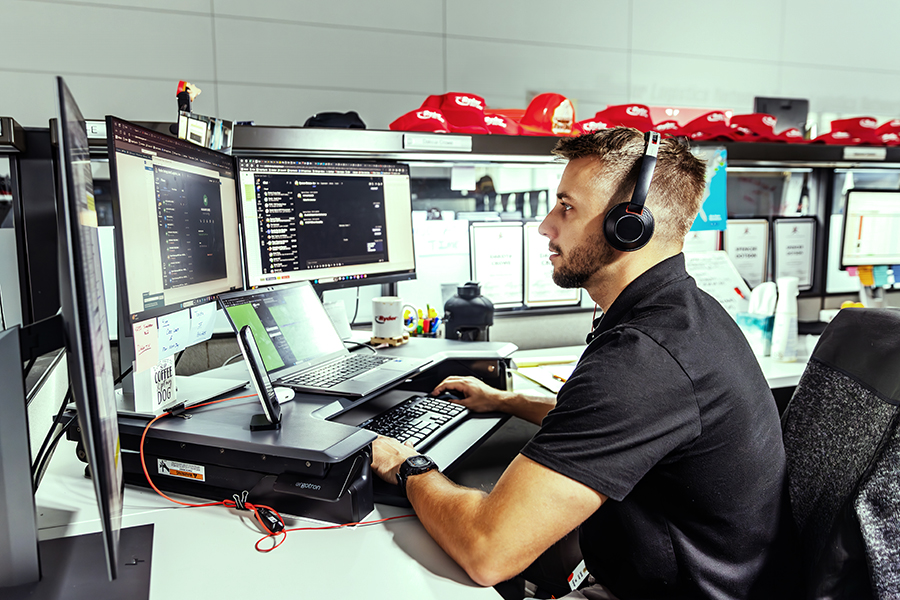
(420, 419)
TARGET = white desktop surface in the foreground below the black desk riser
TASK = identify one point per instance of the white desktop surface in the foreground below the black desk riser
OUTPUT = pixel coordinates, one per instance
(209, 553)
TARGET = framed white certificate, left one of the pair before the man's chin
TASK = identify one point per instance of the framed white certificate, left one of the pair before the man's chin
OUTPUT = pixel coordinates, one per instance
(497, 260)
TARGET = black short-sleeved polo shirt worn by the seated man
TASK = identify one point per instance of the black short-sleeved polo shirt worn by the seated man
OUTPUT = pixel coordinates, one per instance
(669, 415)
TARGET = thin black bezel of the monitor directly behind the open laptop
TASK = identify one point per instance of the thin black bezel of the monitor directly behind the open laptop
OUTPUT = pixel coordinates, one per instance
(388, 277)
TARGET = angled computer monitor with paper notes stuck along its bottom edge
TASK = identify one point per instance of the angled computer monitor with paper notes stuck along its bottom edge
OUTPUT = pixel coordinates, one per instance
(175, 212)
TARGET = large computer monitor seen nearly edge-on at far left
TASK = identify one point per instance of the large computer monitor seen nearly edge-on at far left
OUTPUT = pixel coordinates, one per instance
(84, 317)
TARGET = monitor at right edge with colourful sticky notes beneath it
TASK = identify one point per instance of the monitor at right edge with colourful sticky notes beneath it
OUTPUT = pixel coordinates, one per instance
(871, 233)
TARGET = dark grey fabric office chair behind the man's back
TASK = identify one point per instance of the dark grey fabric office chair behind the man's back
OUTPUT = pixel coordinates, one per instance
(843, 458)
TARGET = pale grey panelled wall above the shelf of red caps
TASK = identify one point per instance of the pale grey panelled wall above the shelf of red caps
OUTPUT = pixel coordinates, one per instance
(279, 61)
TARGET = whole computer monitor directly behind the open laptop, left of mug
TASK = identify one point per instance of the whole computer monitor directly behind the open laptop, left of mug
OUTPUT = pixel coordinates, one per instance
(335, 223)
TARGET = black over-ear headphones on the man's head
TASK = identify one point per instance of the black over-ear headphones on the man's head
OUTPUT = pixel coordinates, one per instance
(629, 226)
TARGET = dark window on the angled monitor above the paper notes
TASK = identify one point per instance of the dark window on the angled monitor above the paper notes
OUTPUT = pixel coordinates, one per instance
(191, 234)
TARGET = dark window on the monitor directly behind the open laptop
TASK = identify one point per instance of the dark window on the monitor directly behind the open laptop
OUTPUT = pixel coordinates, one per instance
(329, 222)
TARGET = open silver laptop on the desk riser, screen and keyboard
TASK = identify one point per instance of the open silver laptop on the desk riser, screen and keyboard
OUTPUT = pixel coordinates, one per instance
(301, 348)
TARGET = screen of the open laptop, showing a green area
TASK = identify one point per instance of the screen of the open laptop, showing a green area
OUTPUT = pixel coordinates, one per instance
(289, 323)
